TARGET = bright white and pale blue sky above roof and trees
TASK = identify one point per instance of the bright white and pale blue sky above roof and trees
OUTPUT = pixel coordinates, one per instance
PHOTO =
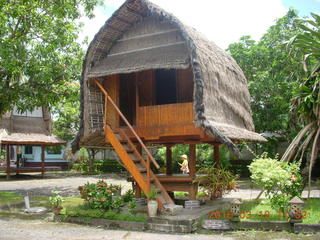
(222, 21)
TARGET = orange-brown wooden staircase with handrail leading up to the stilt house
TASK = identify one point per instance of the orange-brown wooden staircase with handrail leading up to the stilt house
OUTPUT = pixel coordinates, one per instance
(131, 158)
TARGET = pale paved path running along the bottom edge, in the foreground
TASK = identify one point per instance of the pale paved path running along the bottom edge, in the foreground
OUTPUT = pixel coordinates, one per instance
(37, 230)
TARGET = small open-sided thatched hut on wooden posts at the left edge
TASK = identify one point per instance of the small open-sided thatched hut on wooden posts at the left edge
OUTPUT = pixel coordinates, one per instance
(25, 130)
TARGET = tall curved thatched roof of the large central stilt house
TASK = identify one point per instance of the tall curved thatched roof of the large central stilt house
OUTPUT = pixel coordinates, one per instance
(221, 97)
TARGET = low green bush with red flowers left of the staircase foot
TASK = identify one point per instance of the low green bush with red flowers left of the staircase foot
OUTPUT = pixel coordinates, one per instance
(100, 195)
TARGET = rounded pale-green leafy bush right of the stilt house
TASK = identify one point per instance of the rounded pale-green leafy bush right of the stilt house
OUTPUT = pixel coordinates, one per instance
(280, 180)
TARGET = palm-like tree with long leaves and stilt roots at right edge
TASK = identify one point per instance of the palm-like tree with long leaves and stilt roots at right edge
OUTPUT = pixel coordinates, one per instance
(306, 101)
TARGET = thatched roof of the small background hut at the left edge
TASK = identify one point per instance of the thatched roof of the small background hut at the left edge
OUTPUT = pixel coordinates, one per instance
(22, 130)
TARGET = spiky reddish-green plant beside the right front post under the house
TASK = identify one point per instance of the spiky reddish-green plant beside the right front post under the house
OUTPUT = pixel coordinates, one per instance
(216, 181)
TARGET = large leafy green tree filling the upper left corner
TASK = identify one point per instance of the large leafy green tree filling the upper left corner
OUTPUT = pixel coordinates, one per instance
(39, 54)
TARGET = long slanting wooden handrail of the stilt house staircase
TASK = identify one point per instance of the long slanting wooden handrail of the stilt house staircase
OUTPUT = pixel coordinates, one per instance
(126, 122)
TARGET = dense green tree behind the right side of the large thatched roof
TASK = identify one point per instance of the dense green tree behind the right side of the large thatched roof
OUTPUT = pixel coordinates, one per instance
(270, 73)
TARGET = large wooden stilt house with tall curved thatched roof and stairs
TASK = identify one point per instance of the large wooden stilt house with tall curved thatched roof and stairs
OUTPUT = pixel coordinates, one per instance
(149, 79)
